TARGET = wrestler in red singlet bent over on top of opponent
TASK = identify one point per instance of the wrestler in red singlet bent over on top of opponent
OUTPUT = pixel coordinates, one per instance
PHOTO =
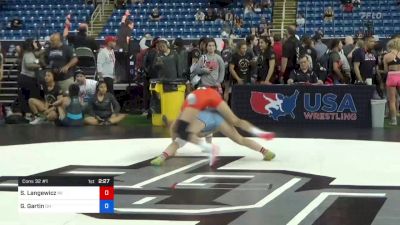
(208, 98)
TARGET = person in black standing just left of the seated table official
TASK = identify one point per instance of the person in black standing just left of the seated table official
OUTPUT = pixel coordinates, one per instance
(290, 54)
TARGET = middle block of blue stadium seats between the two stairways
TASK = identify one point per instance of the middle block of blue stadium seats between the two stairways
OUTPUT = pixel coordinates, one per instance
(179, 20)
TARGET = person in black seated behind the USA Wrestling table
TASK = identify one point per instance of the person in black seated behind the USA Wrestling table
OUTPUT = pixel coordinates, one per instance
(305, 74)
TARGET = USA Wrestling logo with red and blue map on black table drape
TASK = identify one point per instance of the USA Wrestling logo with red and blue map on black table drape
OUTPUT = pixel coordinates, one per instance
(315, 106)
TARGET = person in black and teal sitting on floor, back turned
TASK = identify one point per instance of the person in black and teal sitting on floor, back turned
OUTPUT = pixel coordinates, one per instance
(70, 109)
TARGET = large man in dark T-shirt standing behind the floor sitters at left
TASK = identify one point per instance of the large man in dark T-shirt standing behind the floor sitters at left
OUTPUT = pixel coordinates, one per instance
(61, 59)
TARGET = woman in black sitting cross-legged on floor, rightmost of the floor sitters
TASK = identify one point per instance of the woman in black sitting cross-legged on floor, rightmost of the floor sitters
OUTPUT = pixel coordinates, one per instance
(104, 109)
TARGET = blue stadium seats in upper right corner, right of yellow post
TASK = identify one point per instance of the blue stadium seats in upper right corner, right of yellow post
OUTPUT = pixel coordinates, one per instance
(385, 15)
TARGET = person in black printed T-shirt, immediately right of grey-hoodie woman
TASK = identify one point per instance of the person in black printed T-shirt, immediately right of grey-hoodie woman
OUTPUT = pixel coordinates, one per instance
(240, 65)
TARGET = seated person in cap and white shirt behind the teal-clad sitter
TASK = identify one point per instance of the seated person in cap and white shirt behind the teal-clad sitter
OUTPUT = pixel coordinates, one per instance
(87, 87)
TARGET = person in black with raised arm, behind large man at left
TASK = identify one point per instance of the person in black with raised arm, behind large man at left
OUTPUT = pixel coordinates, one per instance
(80, 39)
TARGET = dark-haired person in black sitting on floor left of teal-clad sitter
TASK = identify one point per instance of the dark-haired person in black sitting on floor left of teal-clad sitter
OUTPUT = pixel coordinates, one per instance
(44, 109)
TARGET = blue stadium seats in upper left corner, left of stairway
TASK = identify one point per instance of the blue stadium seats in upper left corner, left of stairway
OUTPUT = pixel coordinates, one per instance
(41, 17)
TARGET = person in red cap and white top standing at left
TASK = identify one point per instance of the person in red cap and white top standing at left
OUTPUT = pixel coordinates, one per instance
(106, 63)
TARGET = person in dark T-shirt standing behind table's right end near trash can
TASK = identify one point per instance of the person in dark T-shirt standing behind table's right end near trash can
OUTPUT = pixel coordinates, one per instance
(365, 61)
